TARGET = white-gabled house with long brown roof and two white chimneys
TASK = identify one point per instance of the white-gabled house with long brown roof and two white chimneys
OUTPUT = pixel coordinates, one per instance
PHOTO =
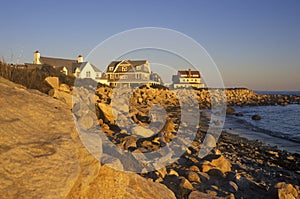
(76, 68)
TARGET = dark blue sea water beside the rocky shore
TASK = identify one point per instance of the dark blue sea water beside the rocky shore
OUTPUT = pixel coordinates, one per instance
(279, 125)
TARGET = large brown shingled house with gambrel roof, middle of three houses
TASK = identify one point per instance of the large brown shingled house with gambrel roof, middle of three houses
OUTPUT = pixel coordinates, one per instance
(130, 73)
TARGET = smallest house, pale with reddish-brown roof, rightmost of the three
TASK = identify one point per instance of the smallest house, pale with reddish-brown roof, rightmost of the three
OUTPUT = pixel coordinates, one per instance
(187, 78)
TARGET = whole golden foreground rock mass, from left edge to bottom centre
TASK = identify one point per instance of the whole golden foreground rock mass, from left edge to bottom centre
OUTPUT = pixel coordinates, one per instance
(41, 155)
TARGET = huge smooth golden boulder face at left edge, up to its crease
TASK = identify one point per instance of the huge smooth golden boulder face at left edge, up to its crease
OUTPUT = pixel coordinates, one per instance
(38, 157)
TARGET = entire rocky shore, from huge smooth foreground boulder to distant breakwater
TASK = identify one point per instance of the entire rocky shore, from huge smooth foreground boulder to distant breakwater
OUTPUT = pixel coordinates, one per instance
(41, 155)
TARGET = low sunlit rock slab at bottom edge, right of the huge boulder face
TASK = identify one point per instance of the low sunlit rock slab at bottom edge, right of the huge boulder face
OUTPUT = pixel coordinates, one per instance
(111, 183)
